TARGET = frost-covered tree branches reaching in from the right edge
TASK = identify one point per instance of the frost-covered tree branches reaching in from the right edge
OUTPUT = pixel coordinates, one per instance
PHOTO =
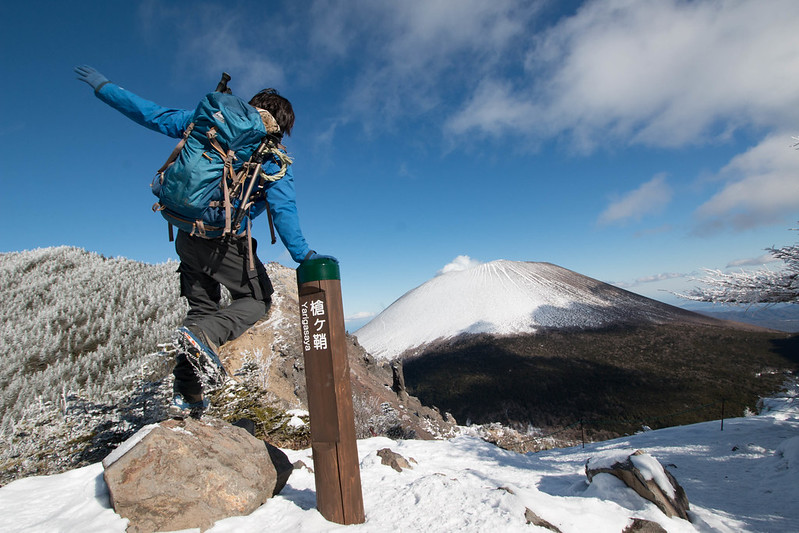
(751, 287)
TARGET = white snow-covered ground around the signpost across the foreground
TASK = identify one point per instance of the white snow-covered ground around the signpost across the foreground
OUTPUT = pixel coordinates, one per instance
(744, 478)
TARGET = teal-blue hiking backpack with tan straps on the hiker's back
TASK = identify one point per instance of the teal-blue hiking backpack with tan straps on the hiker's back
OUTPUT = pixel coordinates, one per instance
(214, 178)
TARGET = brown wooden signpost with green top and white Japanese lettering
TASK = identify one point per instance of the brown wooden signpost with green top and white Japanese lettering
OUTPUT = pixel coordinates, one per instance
(327, 374)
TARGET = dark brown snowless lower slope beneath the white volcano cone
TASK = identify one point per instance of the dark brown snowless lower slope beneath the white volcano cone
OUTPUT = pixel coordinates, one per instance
(614, 379)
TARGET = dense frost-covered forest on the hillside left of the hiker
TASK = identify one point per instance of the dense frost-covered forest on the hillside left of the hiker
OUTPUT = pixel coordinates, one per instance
(78, 333)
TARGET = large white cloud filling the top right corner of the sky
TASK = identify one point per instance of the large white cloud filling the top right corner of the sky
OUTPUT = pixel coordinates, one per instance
(666, 73)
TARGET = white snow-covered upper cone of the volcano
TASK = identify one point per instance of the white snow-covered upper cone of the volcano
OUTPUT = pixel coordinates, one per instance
(507, 297)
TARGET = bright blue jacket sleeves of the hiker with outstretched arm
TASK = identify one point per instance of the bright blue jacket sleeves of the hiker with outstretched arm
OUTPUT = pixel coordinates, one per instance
(173, 122)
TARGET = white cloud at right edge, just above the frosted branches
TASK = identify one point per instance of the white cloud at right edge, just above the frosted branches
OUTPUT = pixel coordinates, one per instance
(761, 186)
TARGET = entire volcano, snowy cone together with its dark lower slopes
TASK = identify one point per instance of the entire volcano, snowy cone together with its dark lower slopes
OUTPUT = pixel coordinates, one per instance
(534, 344)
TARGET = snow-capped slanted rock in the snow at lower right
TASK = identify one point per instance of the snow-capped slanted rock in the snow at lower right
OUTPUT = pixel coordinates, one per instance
(646, 476)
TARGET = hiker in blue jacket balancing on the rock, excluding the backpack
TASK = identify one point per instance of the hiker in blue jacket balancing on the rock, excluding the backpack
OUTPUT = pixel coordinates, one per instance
(208, 263)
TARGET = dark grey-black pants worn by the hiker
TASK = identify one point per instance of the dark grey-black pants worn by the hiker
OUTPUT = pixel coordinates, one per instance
(205, 266)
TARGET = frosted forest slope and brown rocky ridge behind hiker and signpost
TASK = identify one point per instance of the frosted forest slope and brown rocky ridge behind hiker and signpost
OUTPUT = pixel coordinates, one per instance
(82, 368)
